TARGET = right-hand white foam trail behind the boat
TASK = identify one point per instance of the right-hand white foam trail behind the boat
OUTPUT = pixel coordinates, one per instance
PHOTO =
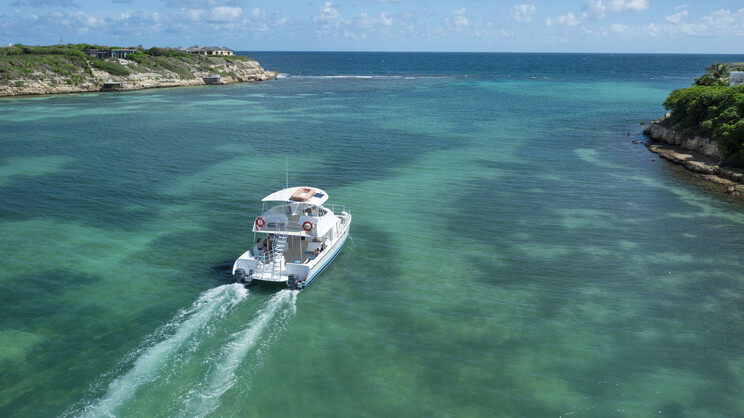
(203, 399)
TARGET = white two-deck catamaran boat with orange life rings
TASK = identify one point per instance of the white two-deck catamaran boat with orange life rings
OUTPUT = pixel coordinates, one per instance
(294, 240)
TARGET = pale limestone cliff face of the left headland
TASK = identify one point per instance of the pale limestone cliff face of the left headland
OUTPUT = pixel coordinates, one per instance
(140, 77)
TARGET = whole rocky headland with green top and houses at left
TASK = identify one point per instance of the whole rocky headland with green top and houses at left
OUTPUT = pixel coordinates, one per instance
(75, 68)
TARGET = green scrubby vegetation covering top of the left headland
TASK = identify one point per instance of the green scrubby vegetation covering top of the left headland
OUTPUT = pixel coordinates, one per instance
(20, 62)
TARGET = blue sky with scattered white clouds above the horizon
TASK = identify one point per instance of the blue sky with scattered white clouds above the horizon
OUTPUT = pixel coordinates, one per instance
(655, 26)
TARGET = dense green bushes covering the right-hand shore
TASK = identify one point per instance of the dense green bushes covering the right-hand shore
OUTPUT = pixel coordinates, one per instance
(712, 109)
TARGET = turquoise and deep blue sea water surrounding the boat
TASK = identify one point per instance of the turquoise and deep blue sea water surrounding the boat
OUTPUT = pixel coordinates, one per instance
(513, 253)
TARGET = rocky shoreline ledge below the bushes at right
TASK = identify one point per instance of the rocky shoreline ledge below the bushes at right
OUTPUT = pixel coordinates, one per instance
(698, 155)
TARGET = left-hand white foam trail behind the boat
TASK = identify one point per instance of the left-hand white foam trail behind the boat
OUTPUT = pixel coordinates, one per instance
(212, 304)
